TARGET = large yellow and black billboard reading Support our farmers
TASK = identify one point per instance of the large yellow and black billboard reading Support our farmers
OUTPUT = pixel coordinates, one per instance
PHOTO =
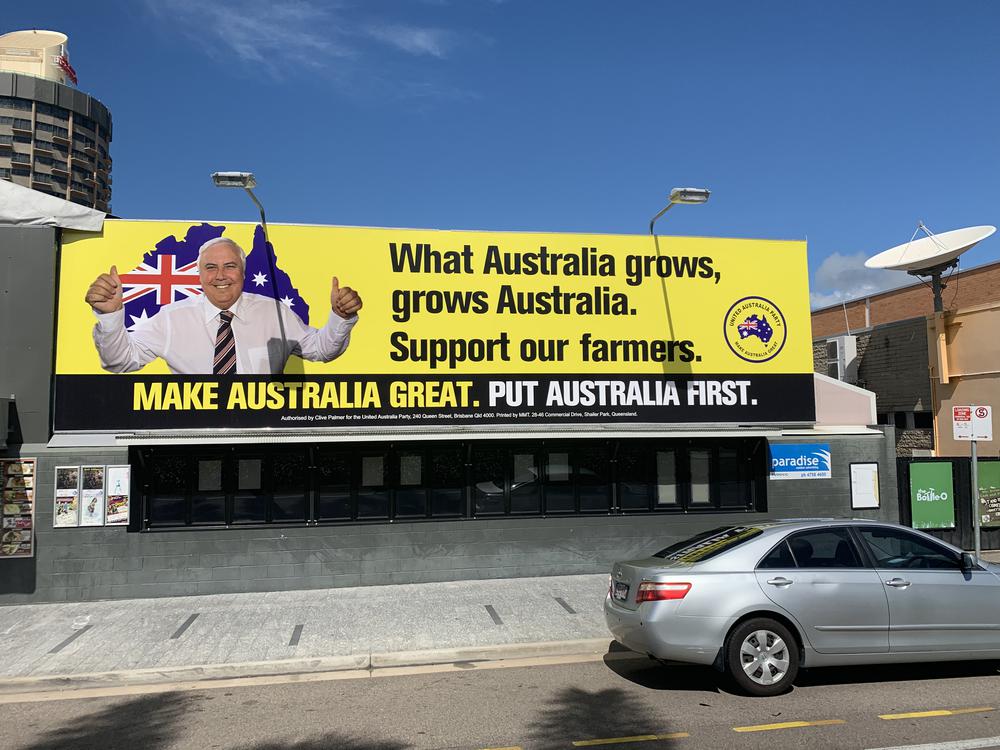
(454, 329)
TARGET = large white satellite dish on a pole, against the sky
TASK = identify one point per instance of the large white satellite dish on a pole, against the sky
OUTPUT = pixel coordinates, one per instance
(931, 255)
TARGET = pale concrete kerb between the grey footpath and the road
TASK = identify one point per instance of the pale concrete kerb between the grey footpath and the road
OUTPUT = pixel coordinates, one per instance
(287, 667)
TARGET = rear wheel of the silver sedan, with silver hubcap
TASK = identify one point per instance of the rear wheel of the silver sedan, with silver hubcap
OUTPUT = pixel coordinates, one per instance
(762, 657)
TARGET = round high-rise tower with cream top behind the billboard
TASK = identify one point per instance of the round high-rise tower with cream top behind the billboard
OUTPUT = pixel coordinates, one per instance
(53, 137)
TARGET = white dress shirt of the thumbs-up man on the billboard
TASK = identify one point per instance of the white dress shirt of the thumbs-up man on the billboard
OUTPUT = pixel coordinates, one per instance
(183, 333)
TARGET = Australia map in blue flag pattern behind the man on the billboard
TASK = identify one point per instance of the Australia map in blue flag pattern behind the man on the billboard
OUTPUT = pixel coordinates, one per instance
(169, 273)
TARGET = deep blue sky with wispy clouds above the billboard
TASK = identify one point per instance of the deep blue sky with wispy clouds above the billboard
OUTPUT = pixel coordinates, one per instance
(841, 122)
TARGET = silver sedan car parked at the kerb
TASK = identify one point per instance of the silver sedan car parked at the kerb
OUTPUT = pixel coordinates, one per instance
(759, 601)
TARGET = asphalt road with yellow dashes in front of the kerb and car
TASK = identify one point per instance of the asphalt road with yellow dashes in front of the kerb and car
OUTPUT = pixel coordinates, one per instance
(607, 703)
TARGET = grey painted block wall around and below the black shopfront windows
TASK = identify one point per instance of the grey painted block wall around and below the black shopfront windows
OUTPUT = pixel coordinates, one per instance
(103, 563)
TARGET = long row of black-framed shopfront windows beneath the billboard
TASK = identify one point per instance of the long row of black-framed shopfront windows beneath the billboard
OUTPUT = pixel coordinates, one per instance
(321, 484)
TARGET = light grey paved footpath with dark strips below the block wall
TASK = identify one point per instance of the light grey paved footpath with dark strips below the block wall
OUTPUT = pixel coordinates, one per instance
(139, 641)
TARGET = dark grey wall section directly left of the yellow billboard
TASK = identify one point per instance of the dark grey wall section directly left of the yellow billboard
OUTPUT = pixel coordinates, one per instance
(27, 323)
